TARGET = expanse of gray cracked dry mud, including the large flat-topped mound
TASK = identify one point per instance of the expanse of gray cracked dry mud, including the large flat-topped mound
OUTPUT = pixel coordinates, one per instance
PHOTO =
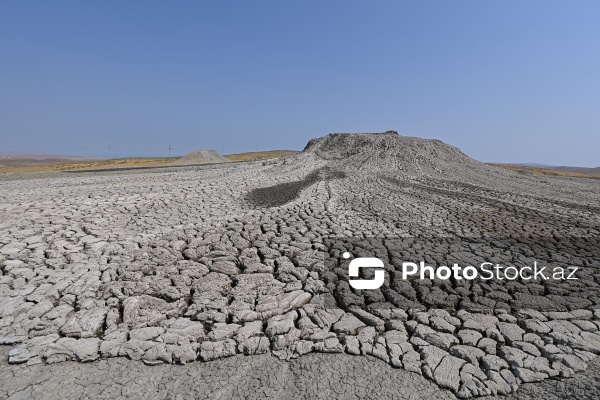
(228, 281)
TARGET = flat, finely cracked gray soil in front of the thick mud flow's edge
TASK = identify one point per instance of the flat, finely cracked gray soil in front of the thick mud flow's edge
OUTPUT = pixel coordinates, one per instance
(314, 376)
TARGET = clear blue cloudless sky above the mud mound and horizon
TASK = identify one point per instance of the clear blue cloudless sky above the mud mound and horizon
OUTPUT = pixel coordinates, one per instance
(508, 81)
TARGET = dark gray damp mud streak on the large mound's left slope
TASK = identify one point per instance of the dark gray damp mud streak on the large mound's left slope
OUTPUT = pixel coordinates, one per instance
(282, 193)
